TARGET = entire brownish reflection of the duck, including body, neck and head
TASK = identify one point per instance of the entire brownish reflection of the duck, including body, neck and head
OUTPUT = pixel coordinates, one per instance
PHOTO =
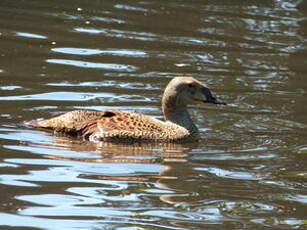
(172, 157)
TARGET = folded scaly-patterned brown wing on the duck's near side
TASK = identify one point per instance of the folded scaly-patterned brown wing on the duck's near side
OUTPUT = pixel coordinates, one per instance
(131, 127)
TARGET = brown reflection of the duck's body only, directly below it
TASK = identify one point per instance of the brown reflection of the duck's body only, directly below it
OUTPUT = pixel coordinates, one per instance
(121, 152)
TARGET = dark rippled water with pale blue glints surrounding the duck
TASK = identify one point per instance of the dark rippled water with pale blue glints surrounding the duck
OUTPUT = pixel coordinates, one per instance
(248, 171)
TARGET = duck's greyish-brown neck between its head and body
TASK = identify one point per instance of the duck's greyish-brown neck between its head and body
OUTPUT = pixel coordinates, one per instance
(178, 115)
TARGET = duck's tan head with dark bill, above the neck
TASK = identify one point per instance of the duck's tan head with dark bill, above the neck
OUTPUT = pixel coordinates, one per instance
(183, 91)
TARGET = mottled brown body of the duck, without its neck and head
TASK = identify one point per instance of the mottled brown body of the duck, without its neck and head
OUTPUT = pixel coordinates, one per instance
(114, 125)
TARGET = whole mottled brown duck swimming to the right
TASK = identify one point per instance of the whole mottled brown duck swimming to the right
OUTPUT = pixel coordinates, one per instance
(120, 126)
